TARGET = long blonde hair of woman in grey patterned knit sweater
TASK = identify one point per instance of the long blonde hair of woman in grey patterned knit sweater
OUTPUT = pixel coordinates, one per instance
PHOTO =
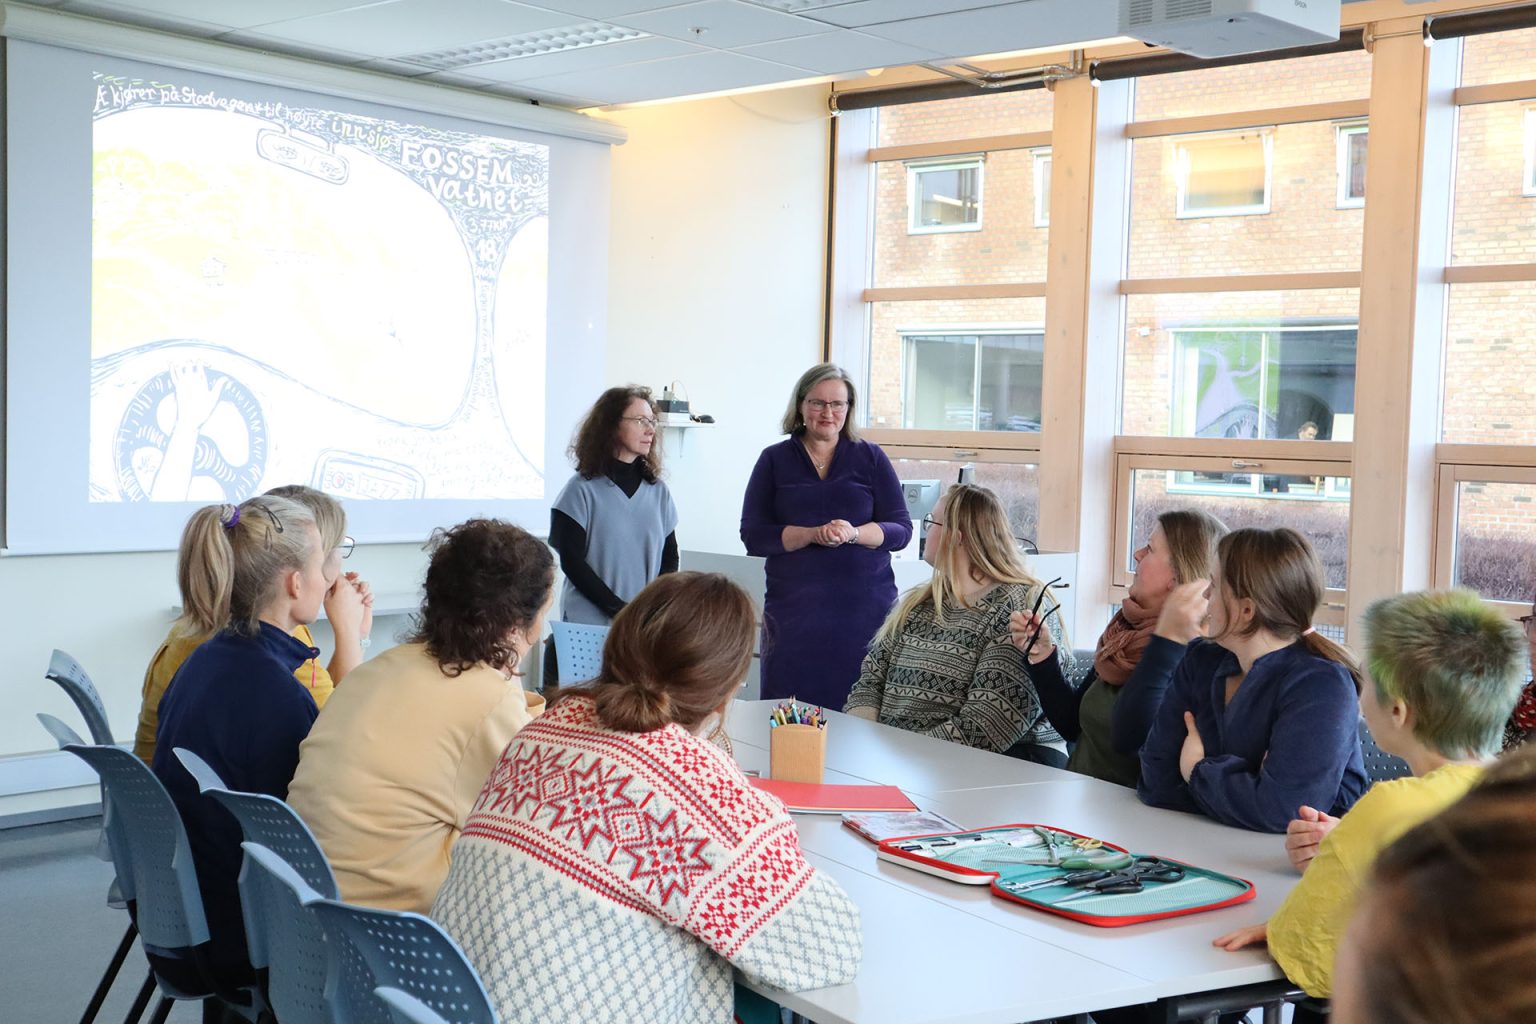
(976, 517)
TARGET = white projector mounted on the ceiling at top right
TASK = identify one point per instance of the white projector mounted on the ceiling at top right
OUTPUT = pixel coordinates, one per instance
(1222, 28)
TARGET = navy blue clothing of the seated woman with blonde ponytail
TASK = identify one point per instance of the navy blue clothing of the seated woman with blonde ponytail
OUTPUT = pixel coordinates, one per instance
(237, 705)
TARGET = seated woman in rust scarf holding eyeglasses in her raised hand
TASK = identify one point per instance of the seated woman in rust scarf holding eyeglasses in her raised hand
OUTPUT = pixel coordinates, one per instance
(1110, 712)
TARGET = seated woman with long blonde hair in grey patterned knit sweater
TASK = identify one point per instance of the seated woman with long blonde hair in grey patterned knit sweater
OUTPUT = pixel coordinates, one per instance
(944, 664)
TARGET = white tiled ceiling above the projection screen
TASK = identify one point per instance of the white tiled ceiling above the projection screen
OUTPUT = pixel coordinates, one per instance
(597, 53)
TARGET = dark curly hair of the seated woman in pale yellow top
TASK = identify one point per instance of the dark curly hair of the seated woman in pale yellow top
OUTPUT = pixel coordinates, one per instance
(486, 580)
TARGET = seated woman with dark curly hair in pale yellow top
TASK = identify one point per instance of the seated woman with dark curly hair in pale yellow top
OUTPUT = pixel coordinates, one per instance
(391, 770)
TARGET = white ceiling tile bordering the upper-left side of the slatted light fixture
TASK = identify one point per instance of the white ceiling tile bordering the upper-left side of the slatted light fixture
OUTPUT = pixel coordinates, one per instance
(412, 27)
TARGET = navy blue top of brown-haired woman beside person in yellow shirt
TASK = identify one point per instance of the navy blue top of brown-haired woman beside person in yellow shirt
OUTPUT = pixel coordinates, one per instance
(1288, 739)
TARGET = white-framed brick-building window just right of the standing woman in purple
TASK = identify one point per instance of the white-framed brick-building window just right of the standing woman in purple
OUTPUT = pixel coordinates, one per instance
(959, 380)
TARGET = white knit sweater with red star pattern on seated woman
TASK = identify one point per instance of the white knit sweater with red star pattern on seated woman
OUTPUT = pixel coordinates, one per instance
(612, 877)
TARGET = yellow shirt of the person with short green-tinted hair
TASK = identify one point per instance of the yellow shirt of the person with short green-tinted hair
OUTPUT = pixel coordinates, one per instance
(1306, 931)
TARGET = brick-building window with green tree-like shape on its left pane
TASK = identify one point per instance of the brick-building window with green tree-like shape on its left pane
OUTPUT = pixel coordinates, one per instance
(1282, 383)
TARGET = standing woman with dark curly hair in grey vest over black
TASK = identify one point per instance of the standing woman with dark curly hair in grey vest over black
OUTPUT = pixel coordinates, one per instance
(614, 524)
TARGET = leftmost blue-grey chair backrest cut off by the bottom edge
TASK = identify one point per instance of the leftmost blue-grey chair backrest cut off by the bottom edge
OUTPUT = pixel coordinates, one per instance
(285, 937)
